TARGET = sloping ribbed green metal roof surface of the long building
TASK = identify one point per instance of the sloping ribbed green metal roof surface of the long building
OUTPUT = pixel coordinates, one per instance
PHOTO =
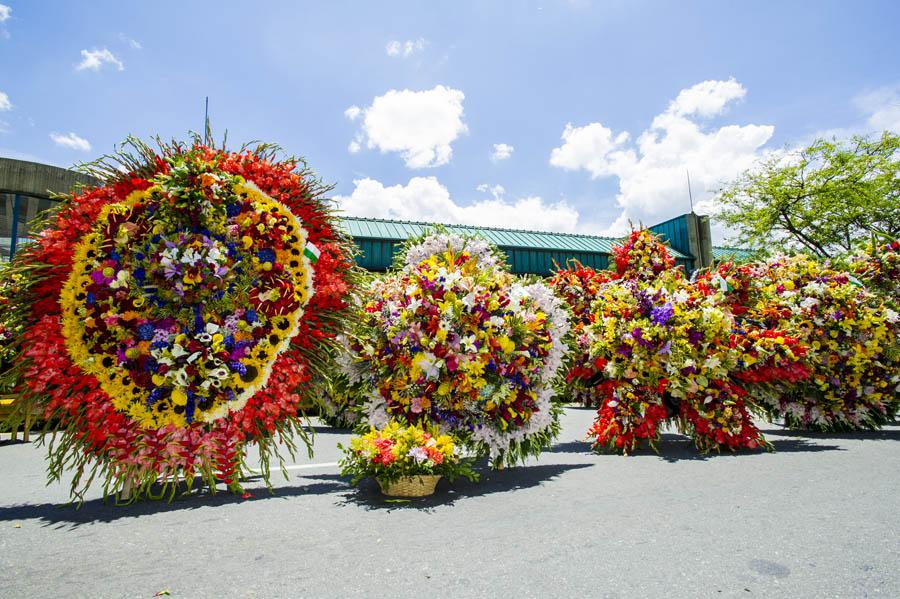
(397, 230)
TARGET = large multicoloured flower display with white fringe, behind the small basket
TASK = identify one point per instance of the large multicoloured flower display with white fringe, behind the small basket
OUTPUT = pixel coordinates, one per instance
(452, 338)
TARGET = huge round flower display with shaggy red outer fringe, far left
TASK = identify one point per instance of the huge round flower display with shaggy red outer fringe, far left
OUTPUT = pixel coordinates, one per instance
(179, 312)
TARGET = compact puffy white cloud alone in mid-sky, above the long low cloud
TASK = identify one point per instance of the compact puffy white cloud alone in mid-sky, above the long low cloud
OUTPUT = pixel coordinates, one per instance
(420, 125)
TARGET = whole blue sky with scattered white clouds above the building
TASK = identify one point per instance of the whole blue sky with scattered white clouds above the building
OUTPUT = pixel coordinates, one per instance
(601, 106)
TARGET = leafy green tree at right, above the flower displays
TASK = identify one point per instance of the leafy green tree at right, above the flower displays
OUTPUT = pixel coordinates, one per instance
(822, 199)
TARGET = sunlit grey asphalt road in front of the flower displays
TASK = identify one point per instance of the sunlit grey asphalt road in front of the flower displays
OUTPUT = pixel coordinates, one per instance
(819, 518)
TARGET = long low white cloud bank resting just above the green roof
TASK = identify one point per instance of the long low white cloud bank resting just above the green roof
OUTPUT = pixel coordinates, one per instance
(425, 199)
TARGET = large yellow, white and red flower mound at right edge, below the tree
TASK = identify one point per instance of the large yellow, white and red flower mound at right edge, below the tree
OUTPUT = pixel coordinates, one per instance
(847, 338)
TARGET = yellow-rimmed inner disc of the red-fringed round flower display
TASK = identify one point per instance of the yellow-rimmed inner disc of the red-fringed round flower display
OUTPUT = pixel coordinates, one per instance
(179, 304)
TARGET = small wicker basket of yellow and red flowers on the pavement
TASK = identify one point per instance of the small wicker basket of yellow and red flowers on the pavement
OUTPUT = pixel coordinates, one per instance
(407, 460)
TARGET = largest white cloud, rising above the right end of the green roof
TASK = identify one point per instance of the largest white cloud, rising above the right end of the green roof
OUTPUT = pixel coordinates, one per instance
(652, 169)
